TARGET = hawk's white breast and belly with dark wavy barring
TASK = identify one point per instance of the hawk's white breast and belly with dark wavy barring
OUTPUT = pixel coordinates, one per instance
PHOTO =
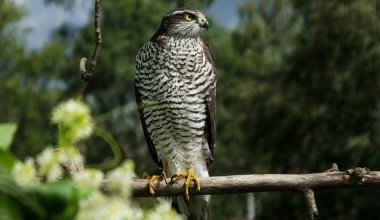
(174, 80)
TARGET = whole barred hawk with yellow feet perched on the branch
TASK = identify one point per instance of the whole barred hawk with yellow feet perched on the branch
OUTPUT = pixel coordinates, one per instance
(175, 93)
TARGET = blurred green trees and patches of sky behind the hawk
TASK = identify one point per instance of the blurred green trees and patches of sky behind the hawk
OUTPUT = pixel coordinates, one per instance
(298, 89)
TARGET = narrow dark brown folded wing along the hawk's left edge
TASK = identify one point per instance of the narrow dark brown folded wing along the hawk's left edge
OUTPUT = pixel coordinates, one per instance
(149, 141)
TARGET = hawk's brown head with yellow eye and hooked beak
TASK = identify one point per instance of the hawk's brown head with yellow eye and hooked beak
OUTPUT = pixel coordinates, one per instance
(183, 22)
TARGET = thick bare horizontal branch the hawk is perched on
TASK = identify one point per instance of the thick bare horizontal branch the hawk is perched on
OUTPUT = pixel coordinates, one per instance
(302, 183)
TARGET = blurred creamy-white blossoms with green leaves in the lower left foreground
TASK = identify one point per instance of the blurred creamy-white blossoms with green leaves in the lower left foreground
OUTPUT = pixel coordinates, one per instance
(39, 189)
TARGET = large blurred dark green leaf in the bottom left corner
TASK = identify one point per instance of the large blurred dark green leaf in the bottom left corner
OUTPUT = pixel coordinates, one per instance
(53, 201)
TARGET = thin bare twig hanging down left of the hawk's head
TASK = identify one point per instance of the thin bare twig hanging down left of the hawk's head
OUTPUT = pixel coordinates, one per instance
(85, 75)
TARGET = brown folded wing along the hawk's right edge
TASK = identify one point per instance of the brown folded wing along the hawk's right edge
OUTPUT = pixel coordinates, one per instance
(210, 129)
